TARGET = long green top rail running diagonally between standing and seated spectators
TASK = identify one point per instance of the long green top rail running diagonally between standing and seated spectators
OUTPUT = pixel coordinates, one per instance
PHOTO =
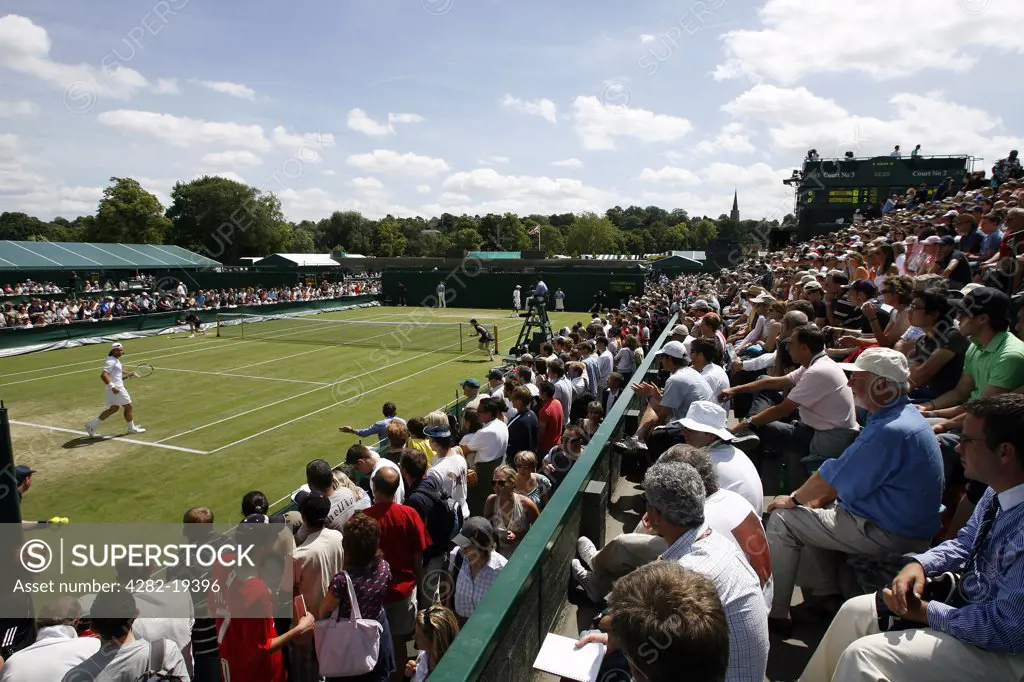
(475, 647)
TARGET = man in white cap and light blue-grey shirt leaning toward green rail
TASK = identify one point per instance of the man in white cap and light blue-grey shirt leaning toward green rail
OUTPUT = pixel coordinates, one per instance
(684, 387)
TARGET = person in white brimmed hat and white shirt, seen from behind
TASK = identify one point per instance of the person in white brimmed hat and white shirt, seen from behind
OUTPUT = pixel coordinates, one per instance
(705, 427)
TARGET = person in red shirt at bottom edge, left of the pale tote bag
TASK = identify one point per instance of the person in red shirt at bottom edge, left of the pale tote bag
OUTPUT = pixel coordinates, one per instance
(250, 647)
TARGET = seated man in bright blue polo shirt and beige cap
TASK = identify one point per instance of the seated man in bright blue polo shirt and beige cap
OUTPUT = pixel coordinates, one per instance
(889, 485)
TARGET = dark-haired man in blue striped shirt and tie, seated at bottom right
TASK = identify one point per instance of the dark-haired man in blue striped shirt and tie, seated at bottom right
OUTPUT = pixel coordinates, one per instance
(978, 633)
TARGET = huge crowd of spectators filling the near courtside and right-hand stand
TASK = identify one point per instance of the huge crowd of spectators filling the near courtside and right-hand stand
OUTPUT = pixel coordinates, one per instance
(874, 459)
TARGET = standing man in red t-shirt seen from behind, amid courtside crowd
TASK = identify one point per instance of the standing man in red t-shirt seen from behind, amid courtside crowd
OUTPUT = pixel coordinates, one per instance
(404, 539)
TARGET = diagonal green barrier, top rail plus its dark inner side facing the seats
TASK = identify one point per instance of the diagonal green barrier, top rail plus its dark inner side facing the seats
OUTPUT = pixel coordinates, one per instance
(502, 638)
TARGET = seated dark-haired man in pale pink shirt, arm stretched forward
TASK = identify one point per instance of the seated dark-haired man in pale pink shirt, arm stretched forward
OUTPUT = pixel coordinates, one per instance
(819, 394)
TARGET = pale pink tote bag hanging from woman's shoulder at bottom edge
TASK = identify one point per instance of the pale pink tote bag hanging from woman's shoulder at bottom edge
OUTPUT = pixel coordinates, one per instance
(348, 647)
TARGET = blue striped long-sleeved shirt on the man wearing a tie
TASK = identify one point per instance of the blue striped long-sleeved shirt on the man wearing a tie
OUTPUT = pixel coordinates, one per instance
(994, 620)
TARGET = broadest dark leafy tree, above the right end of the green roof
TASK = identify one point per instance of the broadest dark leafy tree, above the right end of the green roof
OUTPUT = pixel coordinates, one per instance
(226, 221)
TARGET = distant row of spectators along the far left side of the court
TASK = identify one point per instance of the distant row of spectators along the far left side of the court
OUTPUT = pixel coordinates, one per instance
(81, 308)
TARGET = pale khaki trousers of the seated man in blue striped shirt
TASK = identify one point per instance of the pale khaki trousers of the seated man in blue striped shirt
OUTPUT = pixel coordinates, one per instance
(854, 651)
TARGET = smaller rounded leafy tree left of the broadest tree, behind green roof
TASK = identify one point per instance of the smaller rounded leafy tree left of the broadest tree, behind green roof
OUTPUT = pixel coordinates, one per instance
(130, 215)
